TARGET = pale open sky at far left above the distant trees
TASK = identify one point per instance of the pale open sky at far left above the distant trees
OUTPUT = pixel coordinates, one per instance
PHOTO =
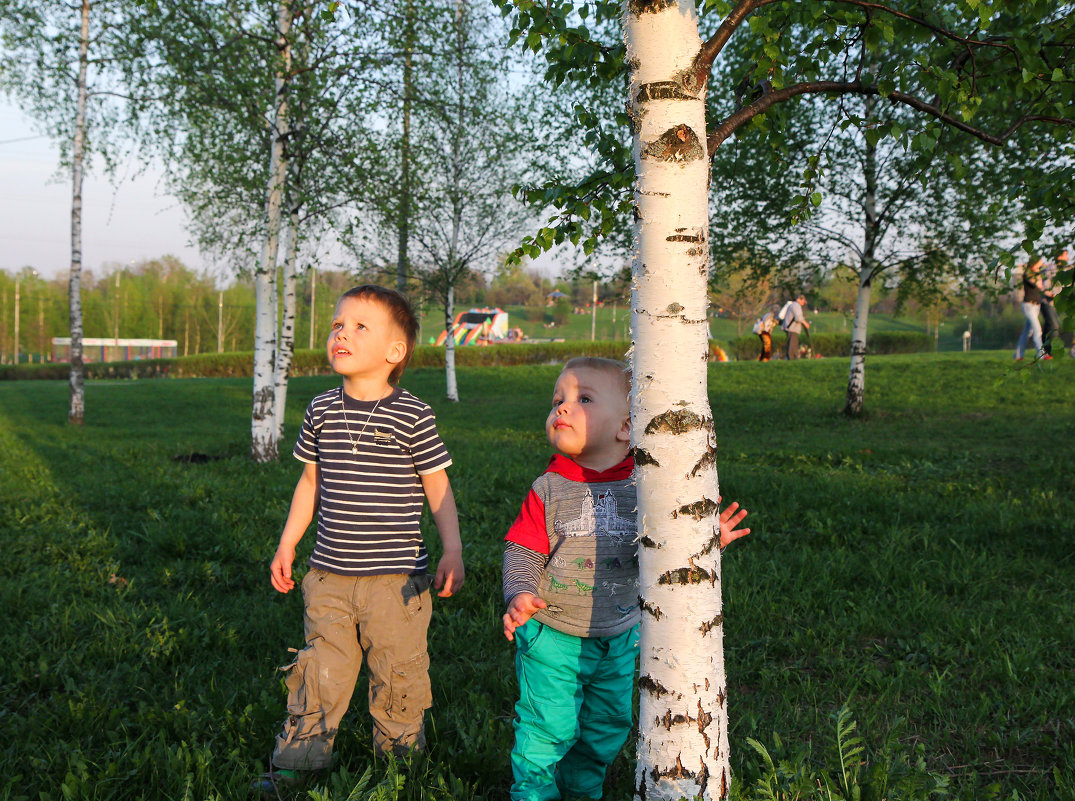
(132, 221)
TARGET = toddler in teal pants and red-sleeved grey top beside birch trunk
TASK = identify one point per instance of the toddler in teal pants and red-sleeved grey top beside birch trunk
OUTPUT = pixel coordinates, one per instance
(571, 579)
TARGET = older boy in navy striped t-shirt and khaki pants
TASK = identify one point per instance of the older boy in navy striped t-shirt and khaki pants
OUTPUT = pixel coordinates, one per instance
(372, 456)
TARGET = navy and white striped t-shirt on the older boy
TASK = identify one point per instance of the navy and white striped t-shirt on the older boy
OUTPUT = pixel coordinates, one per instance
(371, 502)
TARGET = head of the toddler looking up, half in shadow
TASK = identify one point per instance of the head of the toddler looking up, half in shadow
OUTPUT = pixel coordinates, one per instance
(591, 419)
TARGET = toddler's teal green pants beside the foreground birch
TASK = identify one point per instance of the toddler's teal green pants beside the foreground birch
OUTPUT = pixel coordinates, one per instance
(575, 711)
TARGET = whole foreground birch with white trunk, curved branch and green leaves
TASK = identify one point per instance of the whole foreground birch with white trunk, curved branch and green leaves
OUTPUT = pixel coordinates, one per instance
(1023, 56)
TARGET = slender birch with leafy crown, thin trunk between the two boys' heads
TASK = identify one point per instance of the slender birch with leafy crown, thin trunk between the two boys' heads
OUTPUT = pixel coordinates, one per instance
(468, 138)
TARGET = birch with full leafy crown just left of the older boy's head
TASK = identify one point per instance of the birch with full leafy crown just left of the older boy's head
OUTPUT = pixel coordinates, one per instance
(260, 117)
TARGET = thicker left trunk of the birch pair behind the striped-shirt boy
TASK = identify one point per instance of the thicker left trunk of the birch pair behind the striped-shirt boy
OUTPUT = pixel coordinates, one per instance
(264, 436)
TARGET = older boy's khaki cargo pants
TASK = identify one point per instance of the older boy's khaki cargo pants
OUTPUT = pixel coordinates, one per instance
(384, 619)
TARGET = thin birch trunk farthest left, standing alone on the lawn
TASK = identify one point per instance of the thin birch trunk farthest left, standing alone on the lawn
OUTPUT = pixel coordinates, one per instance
(77, 413)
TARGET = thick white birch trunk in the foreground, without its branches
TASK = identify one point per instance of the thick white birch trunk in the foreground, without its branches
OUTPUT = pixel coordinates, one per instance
(683, 721)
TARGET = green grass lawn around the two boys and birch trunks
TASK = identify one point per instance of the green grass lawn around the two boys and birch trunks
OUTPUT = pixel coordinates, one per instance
(914, 567)
